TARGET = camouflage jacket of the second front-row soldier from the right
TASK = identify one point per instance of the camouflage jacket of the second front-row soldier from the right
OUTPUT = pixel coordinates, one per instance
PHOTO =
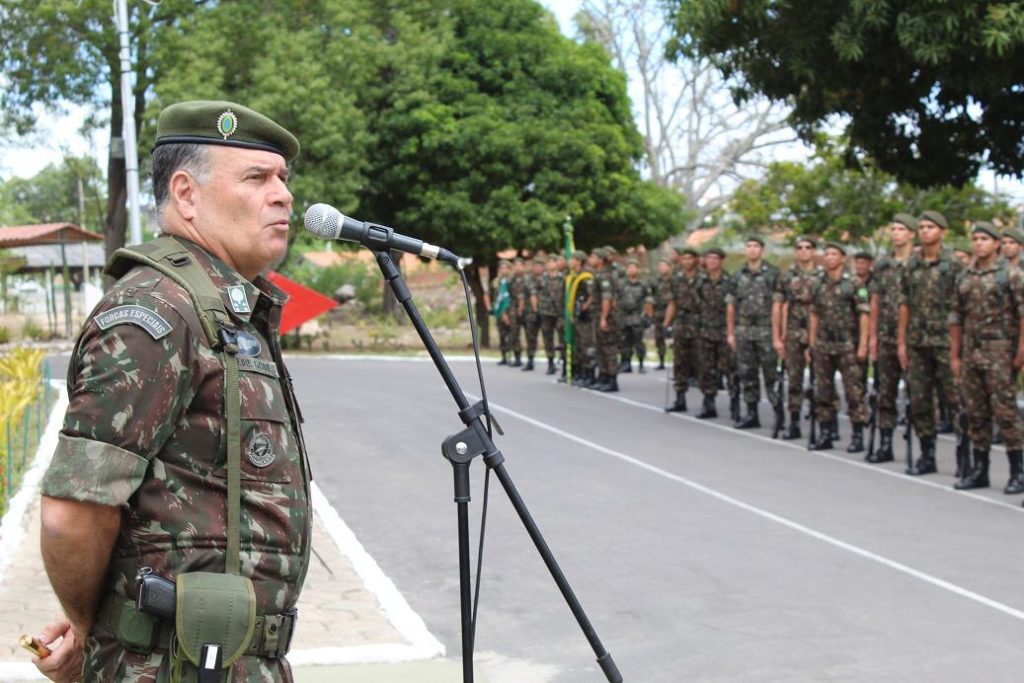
(927, 290)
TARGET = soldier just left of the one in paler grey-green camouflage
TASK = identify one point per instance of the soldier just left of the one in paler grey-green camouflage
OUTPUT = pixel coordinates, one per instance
(717, 360)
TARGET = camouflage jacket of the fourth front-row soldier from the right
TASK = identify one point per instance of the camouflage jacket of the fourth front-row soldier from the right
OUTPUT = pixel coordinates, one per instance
(839, 305)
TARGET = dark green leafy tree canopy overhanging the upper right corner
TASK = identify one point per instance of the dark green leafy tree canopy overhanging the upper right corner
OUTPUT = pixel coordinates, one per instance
(931, 91)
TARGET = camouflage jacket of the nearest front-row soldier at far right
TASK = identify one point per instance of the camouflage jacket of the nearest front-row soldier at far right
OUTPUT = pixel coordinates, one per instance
(989, 306)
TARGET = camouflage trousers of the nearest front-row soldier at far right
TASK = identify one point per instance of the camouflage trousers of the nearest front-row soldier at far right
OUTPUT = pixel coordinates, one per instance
(990, 392)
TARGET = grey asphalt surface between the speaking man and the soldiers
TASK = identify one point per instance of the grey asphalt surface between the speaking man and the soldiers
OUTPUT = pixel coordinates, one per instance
(699, 552)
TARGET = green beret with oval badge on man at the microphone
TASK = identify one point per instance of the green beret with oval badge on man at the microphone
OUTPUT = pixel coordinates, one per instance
(215, 122)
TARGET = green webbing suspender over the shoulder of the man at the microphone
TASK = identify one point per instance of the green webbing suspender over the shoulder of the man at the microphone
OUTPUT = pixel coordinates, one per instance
(174, 261)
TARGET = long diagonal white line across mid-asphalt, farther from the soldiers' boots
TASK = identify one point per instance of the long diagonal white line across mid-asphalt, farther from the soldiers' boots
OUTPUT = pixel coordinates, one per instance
(797, 527)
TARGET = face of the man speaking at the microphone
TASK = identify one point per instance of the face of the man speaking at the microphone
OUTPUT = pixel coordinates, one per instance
(243, 211)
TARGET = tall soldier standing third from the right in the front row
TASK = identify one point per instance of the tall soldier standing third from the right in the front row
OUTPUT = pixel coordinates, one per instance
(885, 292)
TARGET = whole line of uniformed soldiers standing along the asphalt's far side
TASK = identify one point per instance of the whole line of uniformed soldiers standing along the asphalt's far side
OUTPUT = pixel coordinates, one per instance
(946, 324)
